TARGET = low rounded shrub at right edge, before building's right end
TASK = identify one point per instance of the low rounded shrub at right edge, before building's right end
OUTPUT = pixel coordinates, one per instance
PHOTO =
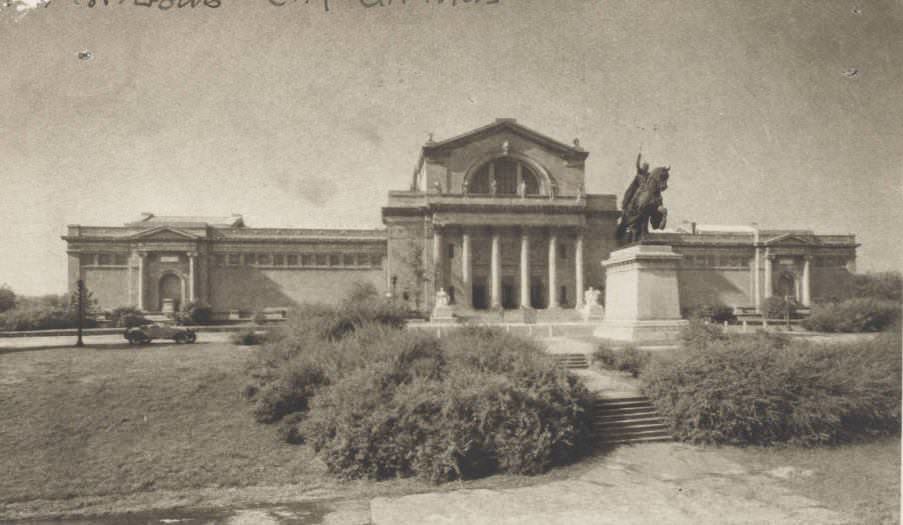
(853, 315)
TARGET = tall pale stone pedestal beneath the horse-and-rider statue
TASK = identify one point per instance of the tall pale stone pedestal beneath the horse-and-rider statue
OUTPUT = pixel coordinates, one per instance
(642, 302)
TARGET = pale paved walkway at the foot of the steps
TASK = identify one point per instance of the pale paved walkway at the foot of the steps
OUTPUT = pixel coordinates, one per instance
(649, 483)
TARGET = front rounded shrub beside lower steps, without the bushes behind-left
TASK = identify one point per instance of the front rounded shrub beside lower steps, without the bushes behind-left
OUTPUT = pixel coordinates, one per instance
(476, 402)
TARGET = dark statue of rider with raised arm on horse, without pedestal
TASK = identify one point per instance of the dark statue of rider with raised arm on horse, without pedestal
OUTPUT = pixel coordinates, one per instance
(643, 203)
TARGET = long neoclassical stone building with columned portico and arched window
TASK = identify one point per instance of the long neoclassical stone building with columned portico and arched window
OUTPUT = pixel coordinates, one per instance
(497, 217)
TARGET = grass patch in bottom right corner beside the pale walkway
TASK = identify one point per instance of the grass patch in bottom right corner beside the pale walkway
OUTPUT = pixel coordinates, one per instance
(861, 480)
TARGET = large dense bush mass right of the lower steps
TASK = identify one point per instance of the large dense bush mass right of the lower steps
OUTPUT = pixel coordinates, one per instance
(764, 390)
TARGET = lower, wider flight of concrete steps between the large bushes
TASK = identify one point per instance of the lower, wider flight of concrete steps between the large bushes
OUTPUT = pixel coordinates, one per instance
(627, 420)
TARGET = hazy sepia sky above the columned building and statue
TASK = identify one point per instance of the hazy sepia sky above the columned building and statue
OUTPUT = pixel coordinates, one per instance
(780, 112)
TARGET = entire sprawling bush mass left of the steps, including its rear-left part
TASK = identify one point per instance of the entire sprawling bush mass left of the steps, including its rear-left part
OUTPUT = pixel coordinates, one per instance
(376, 401)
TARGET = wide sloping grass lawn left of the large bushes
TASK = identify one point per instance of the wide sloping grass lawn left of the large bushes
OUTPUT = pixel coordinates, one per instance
(120, 419)
